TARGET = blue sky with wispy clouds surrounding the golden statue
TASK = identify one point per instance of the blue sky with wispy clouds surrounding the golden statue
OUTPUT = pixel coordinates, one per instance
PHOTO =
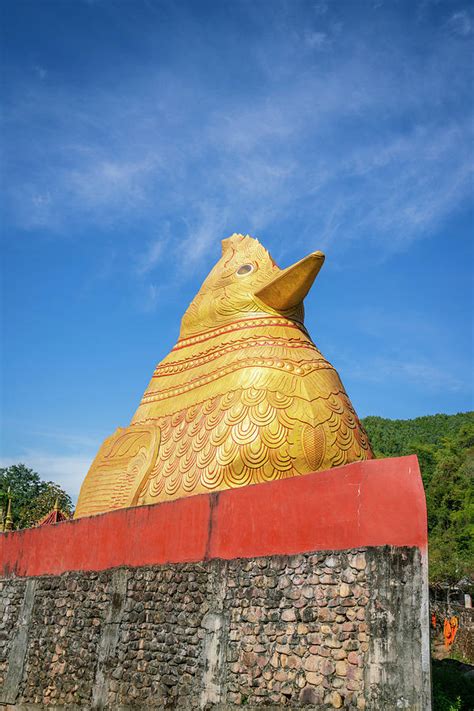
(136, 135)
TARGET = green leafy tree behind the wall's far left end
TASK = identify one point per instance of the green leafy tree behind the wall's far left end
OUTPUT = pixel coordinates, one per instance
(31, 497)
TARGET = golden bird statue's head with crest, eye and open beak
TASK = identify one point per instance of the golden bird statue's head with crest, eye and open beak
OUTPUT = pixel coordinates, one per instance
(247, 282)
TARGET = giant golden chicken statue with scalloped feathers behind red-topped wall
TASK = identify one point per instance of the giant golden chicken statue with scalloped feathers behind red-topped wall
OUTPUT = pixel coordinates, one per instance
(244, 397)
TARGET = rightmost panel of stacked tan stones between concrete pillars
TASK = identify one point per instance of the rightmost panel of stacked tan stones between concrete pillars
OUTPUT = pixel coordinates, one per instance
(297, 631)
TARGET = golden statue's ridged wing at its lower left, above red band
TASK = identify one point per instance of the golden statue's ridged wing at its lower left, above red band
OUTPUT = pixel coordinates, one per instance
(122, 464)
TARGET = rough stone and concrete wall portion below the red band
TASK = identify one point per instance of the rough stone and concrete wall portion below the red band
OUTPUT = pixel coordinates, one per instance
(315, 630)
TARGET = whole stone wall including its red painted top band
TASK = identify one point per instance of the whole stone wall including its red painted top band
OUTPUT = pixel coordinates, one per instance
(306, 592)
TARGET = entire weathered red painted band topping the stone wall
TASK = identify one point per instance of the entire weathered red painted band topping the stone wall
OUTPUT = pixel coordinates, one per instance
(372, 503)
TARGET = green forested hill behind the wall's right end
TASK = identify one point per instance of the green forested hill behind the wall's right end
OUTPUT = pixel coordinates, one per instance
(445, 448)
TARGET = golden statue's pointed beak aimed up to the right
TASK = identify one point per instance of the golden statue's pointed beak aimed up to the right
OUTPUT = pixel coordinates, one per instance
(290, 287)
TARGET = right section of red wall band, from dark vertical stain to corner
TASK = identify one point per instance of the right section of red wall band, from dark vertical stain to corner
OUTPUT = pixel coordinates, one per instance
(370, 503)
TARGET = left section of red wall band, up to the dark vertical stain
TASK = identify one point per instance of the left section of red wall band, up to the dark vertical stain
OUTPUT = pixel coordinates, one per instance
(175, 531)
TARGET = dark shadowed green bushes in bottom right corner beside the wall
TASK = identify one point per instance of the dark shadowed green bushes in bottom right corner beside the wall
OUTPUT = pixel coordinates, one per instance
(452, 689)
